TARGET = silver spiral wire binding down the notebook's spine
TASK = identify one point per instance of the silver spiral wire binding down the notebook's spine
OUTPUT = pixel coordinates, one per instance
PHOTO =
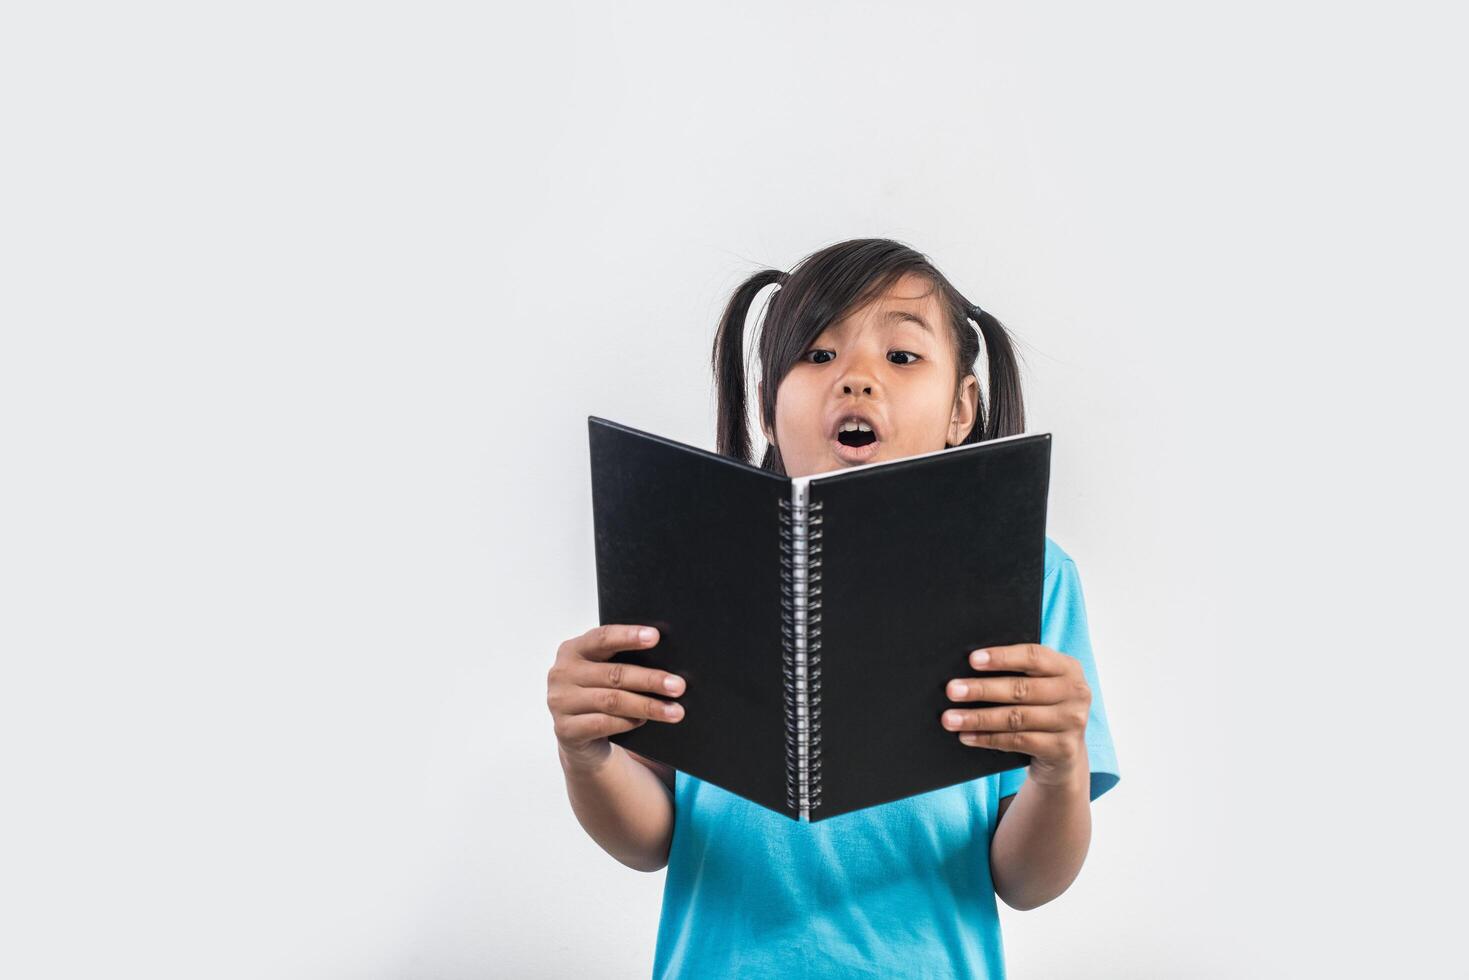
(801, 647)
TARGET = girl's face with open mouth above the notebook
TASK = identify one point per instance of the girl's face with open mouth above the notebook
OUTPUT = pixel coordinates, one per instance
(881, 365)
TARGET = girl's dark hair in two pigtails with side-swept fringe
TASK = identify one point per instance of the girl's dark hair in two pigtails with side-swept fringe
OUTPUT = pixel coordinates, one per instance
(823, 289)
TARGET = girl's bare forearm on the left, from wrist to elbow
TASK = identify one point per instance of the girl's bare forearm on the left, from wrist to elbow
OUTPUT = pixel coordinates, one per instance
(624, 807)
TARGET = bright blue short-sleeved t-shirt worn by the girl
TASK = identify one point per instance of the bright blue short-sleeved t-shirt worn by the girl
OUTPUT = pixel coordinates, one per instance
(897, 890)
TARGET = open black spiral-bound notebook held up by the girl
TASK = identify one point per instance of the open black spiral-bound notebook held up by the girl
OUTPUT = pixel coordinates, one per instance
(817, 621)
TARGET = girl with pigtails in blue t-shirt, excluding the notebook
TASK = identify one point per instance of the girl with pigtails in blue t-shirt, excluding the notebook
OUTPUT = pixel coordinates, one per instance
(863, 330)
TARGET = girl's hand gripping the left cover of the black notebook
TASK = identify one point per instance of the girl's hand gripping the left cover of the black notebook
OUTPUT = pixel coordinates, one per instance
(591, 700)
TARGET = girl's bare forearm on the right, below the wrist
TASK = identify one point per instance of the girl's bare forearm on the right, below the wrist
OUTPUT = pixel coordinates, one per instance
(1042, 841)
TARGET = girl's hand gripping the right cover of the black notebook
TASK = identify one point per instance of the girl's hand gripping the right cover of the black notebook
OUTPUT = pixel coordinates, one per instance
(1044, 713)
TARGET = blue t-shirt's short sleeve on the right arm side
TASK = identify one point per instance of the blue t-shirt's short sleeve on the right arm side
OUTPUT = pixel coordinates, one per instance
(1064, 628)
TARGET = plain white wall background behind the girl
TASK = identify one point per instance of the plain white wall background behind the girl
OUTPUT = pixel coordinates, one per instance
(305, 308)
